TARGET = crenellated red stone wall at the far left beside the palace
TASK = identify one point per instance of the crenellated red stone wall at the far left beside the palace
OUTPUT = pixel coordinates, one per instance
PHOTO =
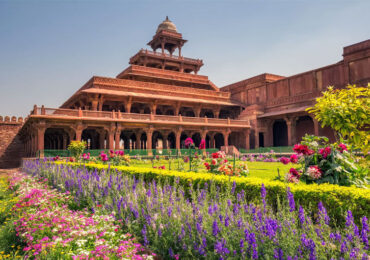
(11, 146)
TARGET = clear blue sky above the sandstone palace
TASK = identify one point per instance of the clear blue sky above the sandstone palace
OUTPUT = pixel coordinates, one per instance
(48, 49)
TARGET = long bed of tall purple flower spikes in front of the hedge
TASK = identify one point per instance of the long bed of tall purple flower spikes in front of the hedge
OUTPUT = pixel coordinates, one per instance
(208, 224)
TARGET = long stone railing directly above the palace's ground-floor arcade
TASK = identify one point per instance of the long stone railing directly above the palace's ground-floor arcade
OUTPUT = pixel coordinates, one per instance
(135, 117)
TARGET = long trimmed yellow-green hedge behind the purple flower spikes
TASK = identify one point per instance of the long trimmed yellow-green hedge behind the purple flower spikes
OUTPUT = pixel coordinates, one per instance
(337, 199)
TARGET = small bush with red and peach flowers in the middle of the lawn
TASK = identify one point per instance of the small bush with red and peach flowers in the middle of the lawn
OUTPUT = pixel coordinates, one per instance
(220, 165)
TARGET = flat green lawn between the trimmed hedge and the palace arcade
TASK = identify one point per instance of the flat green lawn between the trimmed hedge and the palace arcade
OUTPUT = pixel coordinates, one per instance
(264, 170)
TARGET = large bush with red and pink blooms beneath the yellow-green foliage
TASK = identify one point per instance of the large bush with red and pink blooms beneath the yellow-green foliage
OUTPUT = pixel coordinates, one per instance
(323, 162)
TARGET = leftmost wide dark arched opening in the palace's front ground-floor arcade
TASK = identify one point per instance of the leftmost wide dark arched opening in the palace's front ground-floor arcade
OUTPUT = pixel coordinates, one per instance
(56, 139)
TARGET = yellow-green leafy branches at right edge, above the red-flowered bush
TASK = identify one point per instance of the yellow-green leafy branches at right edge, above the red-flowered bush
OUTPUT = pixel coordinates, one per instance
(347, 111)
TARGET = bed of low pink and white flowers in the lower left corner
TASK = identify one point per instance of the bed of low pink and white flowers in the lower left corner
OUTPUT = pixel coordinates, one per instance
(51, 230)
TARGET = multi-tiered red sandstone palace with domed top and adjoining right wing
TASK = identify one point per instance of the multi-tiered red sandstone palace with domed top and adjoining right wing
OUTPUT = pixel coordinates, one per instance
(160, 99)
